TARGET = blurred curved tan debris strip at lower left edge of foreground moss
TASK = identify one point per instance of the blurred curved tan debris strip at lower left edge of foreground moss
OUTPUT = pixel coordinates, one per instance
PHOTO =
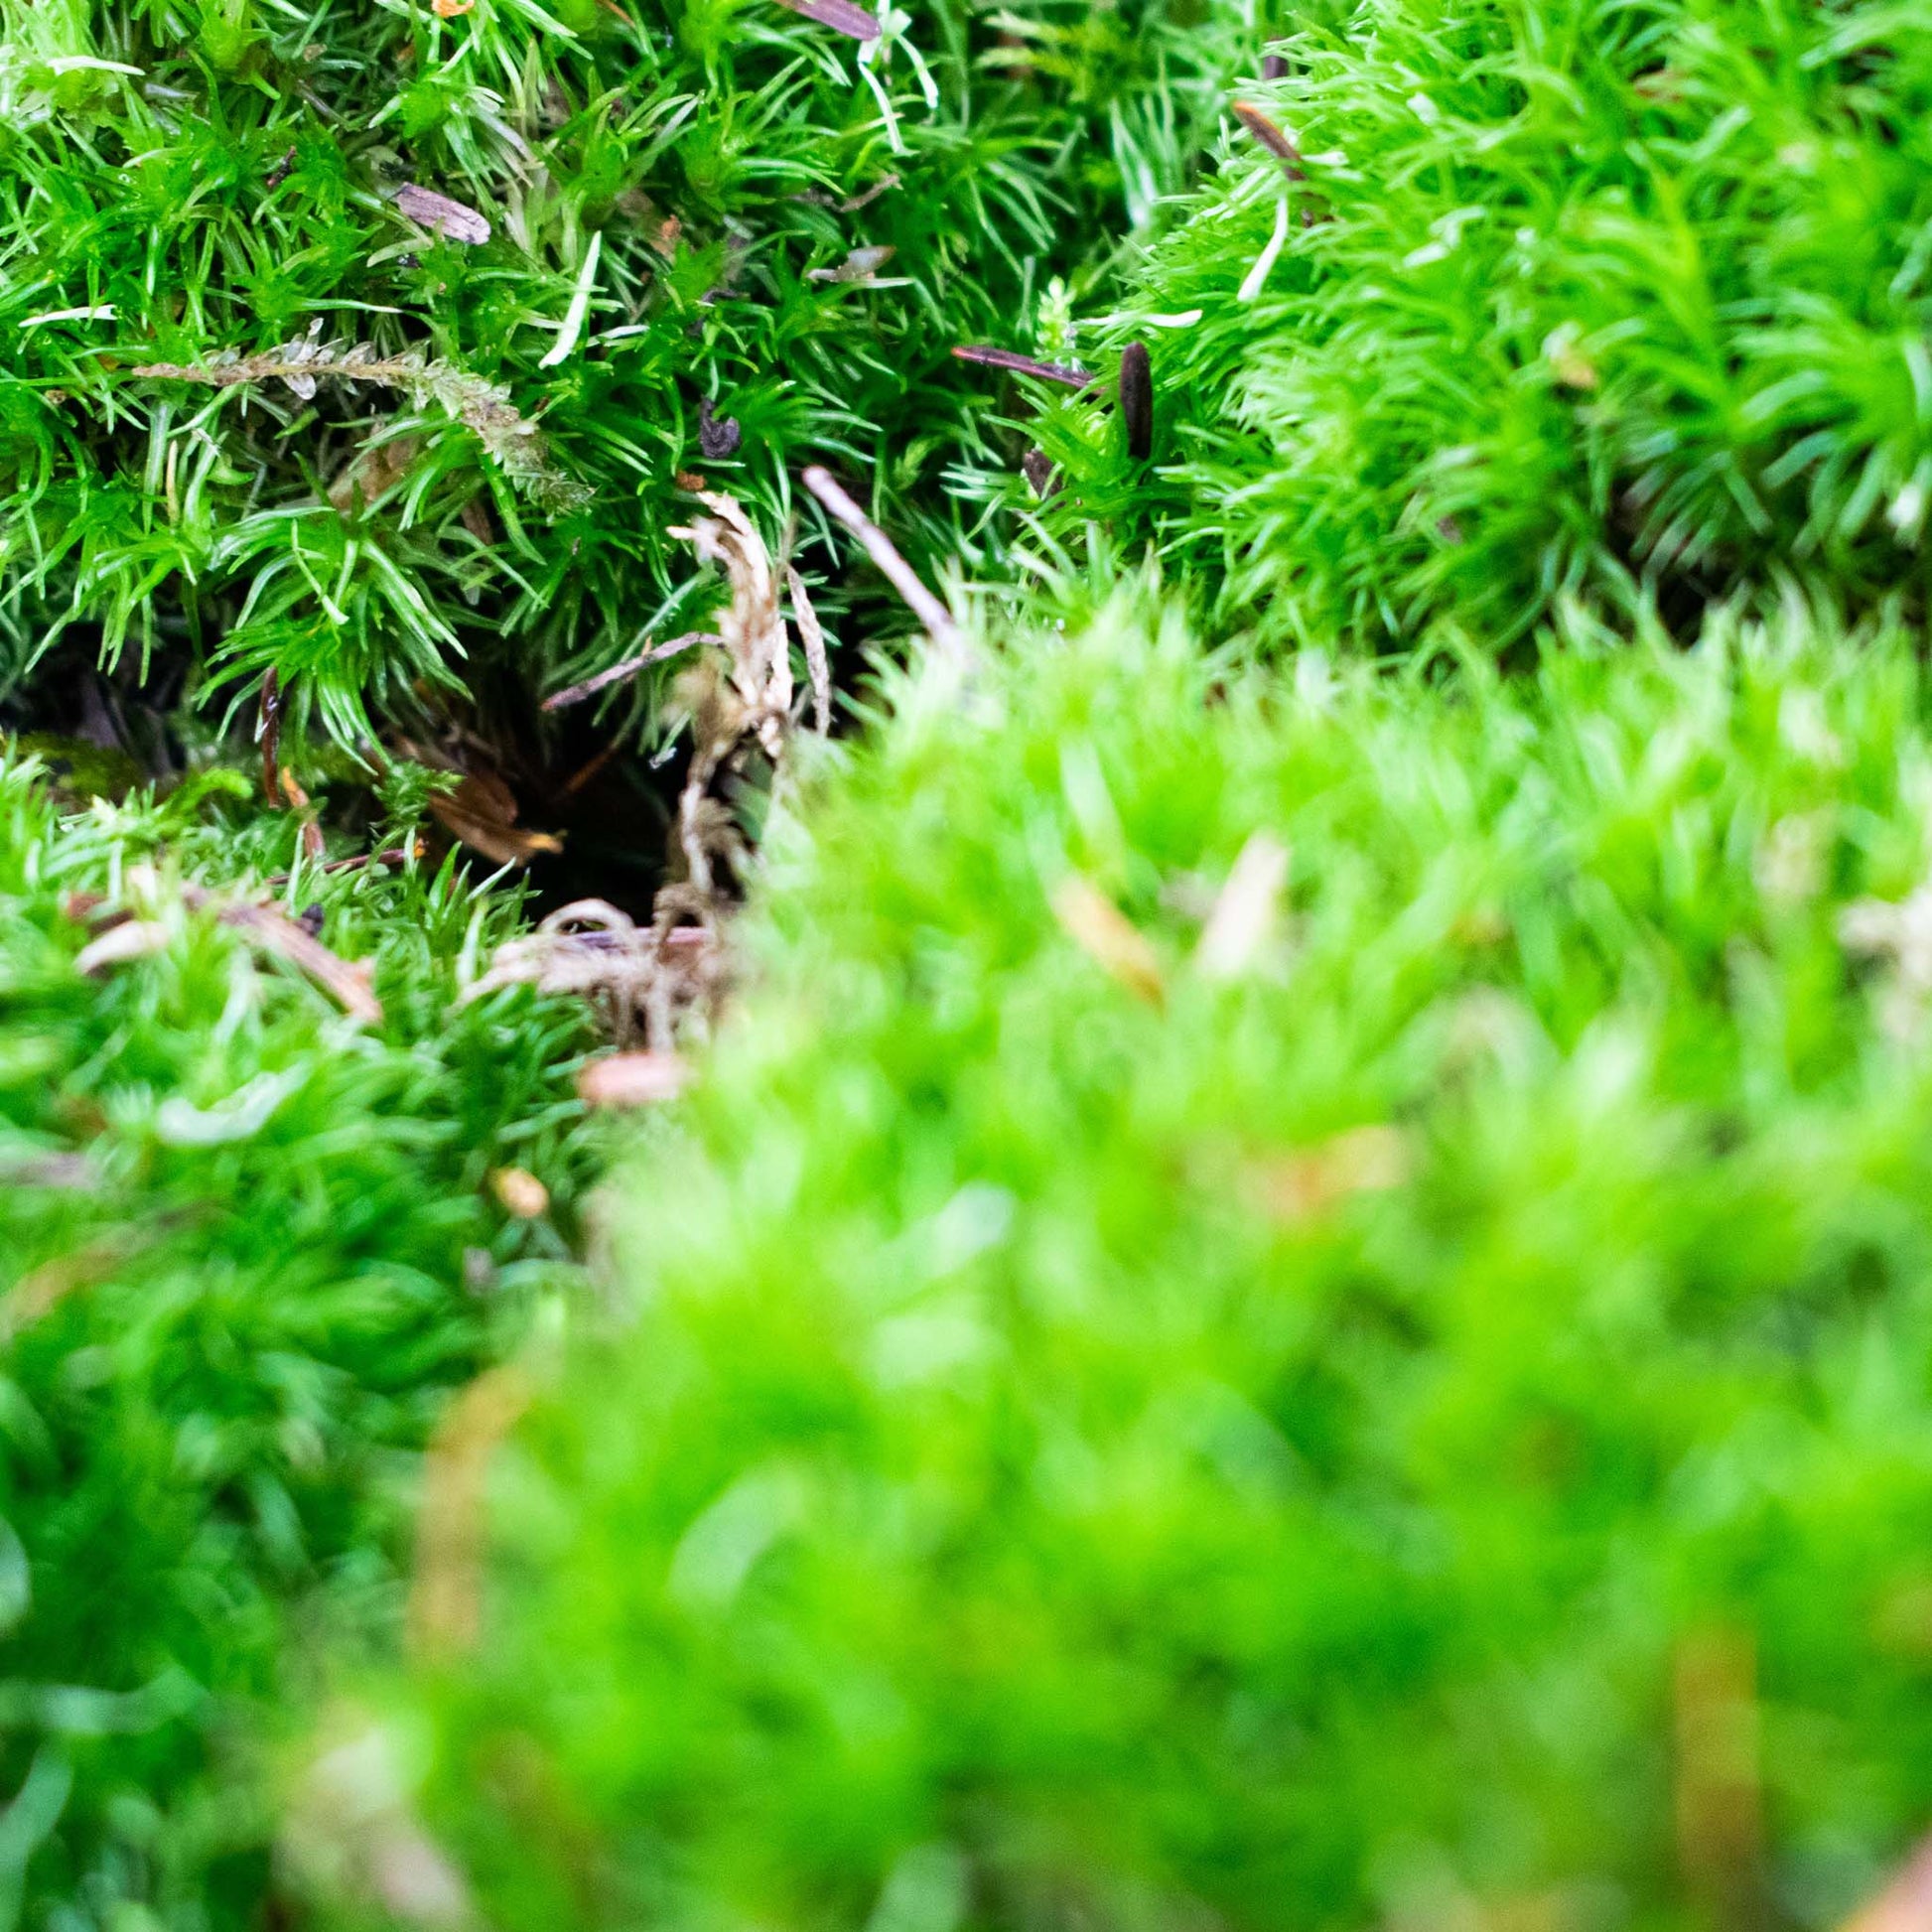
(447, 1589)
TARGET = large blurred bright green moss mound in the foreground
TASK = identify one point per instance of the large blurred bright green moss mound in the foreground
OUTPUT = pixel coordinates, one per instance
(1139, 1407)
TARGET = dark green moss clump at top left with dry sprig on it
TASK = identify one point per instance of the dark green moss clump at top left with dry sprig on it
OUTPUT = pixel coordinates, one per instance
(366, 343)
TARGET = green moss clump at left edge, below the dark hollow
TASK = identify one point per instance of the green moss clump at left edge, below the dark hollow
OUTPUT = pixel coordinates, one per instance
(246, 1251)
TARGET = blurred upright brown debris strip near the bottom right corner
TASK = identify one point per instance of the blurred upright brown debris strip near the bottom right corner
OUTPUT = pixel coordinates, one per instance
(1719, 1796)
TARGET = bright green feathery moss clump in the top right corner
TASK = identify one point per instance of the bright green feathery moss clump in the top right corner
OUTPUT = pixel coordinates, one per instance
(1541, 302)
